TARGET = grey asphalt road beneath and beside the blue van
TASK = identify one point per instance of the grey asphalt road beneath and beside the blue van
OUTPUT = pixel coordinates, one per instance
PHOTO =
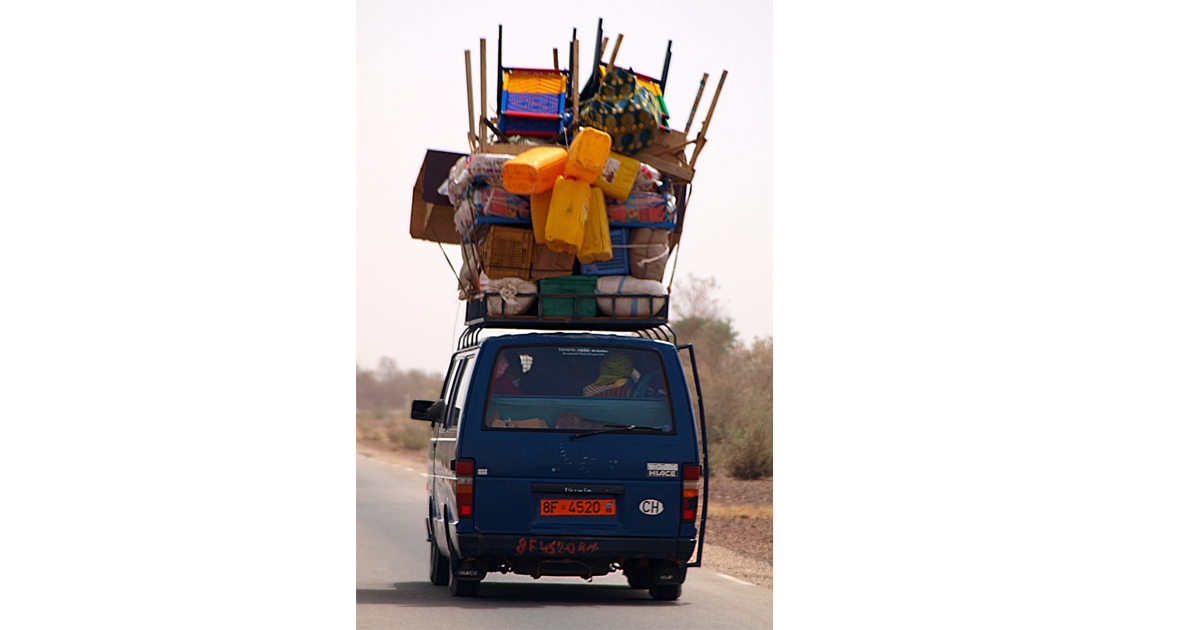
(394, 589)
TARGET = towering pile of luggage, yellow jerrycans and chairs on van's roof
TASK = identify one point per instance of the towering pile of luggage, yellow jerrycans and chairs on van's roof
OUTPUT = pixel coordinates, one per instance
(565, 194)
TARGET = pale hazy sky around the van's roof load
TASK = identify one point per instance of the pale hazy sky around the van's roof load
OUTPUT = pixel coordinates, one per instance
(412, 98)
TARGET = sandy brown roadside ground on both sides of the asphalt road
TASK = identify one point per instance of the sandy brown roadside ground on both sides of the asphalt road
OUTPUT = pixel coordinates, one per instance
(739, 539)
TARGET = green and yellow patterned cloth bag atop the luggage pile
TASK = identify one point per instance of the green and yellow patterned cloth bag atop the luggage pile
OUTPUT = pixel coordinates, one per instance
(626, 111)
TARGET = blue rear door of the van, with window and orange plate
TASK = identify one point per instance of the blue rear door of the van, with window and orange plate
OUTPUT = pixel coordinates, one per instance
(583, 440)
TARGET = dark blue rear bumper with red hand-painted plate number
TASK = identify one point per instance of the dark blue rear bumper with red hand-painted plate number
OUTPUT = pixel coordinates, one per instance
(554, 547)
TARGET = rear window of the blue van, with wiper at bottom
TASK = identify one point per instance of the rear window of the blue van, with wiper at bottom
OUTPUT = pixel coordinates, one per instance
(578, 388)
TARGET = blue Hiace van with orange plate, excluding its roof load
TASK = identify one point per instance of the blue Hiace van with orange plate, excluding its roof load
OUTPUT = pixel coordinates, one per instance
(572, 454)
